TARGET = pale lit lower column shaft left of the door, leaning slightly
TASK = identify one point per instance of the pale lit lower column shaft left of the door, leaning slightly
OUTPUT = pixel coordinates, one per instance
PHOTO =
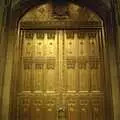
(8, 76)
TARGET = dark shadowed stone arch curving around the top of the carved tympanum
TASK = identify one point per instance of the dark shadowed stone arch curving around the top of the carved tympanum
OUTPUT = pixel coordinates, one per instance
(21, 7)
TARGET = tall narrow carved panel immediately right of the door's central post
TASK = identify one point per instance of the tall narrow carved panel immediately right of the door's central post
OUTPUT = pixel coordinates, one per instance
(69, 54)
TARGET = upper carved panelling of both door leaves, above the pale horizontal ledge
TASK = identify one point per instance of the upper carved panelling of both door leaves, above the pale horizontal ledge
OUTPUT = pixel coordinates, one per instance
(72, 57)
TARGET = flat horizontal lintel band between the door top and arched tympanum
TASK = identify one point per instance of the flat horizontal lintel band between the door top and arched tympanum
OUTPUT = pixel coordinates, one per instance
(59, 24)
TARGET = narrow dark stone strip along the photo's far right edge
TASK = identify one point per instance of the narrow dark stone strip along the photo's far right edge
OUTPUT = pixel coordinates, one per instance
(117, 48)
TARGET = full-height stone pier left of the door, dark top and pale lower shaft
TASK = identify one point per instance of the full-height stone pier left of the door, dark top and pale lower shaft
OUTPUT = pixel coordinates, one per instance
(8, 37)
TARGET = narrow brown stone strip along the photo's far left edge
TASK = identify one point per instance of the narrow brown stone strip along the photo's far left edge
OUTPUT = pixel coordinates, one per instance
(3, 44)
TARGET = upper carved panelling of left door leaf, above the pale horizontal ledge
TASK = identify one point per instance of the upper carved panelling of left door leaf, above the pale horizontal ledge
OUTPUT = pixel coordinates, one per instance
(39, 56)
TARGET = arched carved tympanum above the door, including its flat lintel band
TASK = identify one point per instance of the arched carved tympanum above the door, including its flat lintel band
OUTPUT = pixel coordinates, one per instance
(55, 16)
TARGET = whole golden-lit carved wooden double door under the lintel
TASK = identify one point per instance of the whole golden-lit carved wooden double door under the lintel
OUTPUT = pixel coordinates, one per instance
(61, 75)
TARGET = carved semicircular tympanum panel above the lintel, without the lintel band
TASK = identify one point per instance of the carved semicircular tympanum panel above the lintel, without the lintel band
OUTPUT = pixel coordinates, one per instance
(47, 12)
